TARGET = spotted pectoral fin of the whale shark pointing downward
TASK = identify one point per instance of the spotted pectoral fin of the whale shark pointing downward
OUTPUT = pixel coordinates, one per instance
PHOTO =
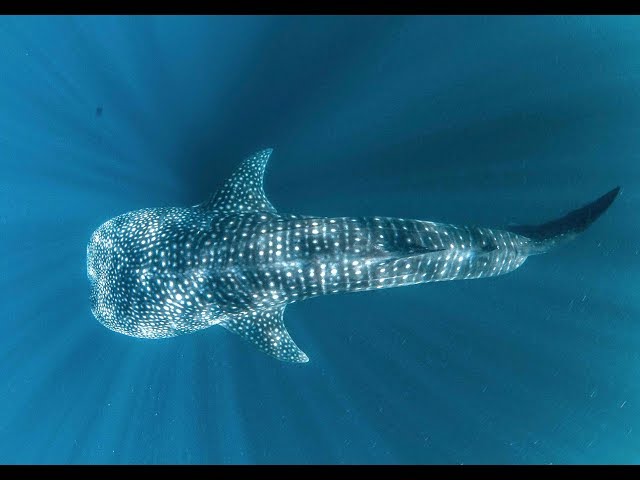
(265, 329)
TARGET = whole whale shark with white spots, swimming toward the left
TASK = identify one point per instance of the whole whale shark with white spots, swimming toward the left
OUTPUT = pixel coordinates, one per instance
(237, 262)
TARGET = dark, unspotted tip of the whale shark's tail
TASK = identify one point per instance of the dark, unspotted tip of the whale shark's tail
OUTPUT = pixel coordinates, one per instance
(572, 223)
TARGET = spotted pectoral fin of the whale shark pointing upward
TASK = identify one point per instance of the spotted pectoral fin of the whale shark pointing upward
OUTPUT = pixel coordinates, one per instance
(243, 190)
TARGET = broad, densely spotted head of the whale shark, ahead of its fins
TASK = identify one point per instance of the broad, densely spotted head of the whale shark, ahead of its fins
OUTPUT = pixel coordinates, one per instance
(146, 280)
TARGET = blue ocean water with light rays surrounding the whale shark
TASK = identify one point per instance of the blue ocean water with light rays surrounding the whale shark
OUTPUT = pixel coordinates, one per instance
(470, 120)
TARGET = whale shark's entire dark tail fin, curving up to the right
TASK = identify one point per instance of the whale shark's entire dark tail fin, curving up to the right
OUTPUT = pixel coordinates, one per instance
(560, 231)
